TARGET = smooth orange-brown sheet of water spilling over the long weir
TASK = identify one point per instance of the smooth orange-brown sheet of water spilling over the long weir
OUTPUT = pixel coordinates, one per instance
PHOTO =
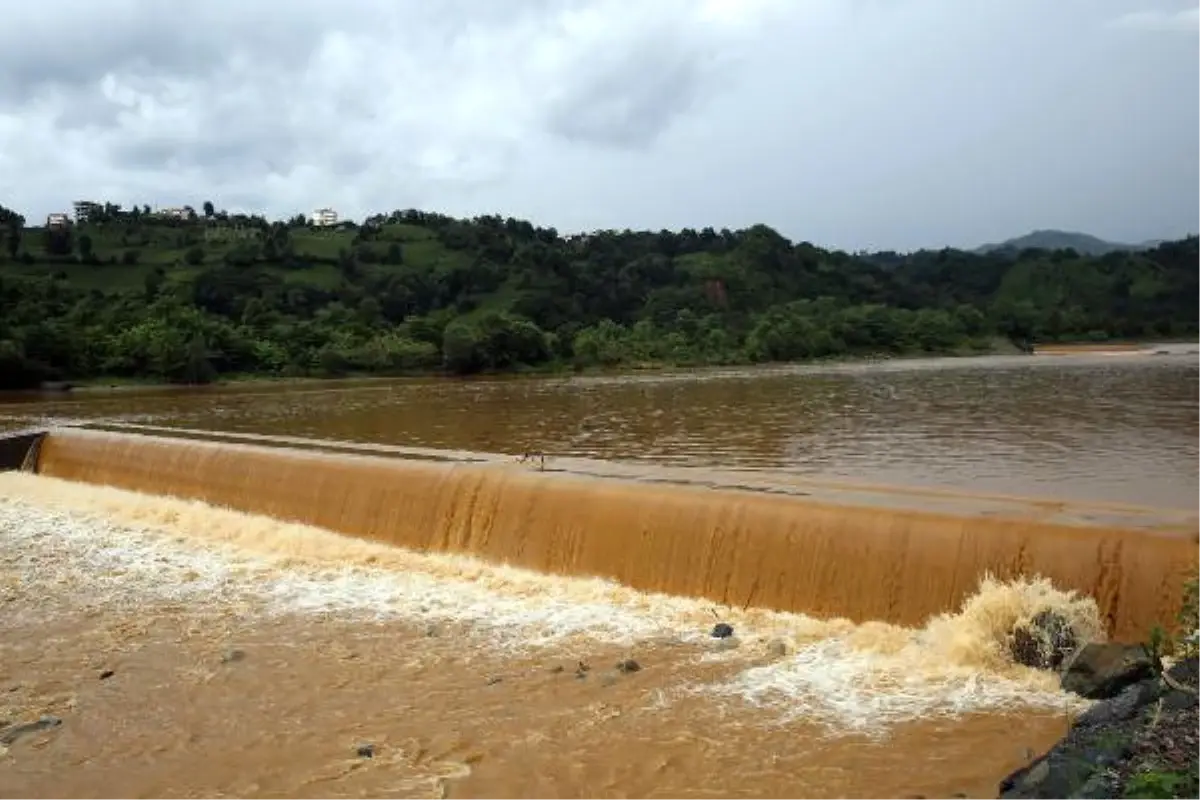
(893, 562)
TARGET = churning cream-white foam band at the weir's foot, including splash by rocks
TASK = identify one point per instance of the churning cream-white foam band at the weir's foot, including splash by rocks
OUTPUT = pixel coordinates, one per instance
(104, 546)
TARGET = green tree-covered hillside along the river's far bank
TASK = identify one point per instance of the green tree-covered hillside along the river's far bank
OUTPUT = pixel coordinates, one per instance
(139, 297)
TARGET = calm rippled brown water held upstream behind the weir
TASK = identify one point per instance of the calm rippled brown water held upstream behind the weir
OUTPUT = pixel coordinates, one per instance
(1094, 428)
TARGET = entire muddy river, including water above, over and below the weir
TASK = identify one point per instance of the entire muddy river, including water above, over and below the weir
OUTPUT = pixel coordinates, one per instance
(253, 654)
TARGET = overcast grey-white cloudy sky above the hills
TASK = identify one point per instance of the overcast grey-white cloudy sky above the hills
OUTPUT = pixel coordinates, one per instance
(857, 124)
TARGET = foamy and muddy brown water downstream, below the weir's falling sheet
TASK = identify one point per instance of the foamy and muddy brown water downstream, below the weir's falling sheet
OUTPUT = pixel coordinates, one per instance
(199, 652)
